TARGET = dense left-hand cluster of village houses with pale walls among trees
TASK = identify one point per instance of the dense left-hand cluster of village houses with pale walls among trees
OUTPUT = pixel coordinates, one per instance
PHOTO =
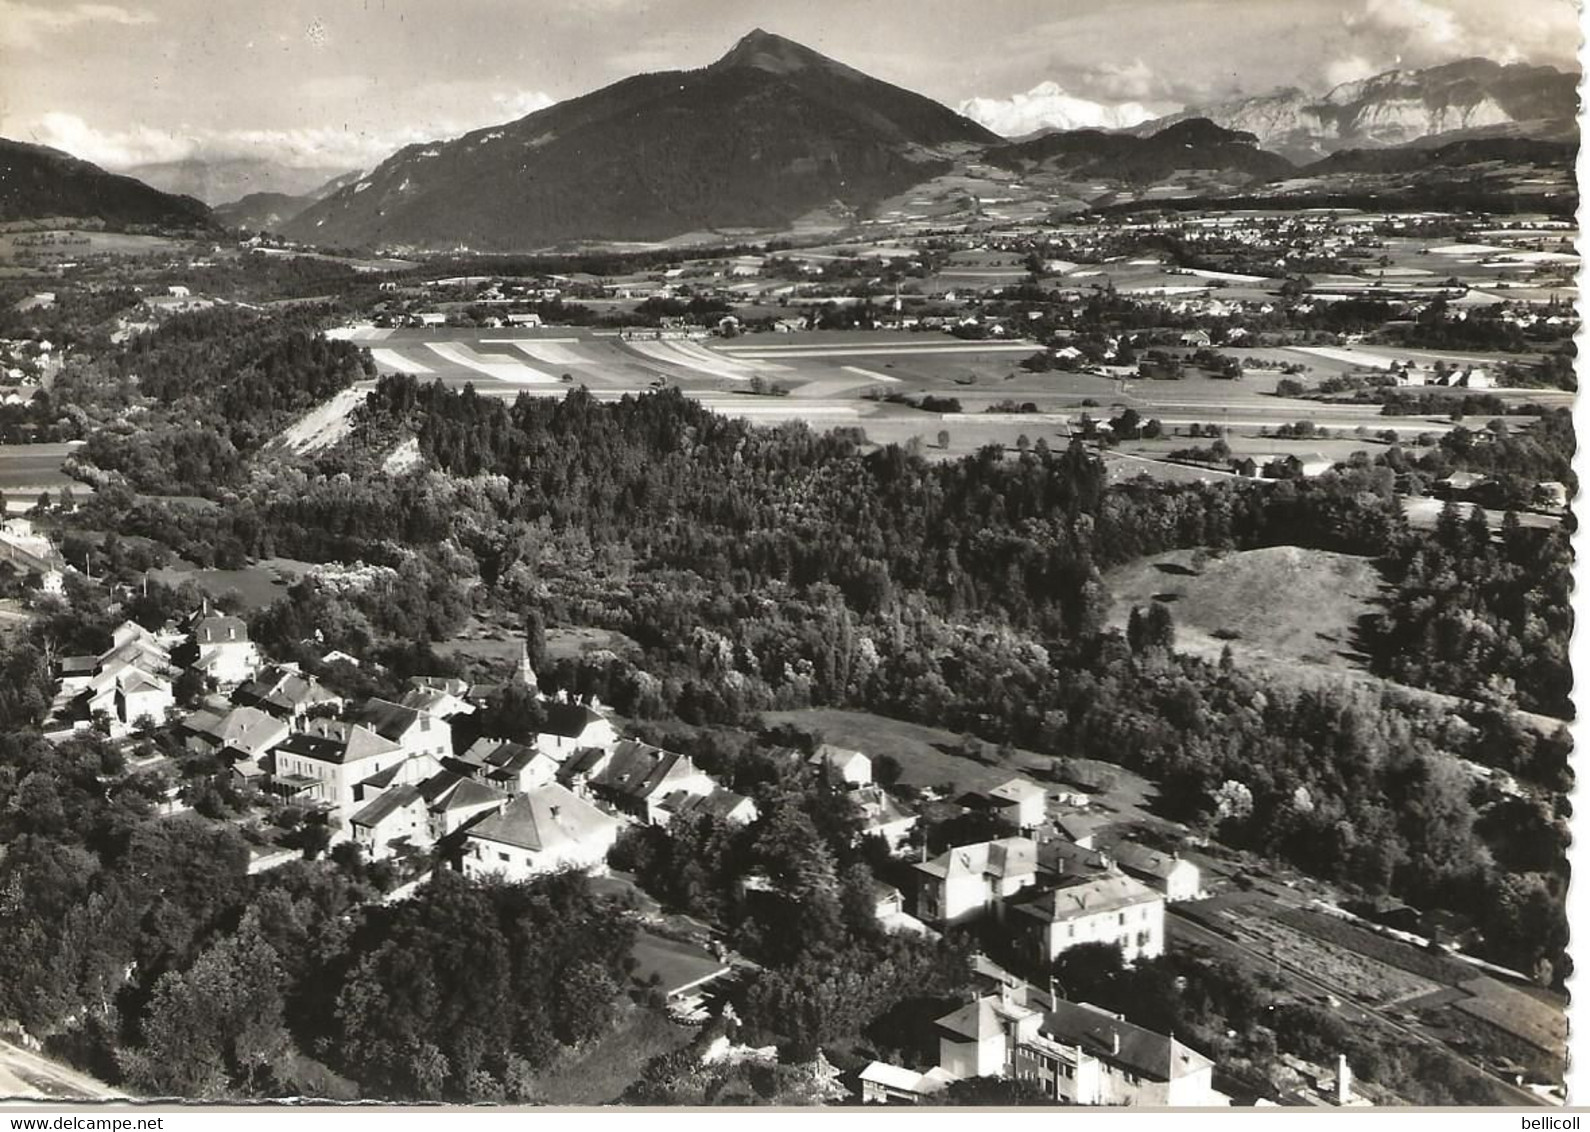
(394, 777)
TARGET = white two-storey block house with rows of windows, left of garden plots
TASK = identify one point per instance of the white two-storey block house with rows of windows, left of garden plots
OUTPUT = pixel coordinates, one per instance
(1112, 909)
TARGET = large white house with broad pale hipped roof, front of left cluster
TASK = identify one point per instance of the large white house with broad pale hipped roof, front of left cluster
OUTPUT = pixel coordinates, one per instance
(540, 832)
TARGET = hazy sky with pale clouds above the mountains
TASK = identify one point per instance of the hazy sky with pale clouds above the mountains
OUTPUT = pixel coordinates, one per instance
(341, 83)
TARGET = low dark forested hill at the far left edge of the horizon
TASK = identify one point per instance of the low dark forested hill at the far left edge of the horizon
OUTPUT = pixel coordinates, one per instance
(41, 182)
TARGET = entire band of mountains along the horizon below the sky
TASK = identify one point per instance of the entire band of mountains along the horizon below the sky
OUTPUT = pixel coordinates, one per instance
(774, 133)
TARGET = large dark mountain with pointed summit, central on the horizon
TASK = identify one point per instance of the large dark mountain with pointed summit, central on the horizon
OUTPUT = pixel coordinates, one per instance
(769, 133)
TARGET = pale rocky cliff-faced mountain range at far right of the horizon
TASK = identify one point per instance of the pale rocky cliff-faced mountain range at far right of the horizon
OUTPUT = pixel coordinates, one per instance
(1400, 107)
